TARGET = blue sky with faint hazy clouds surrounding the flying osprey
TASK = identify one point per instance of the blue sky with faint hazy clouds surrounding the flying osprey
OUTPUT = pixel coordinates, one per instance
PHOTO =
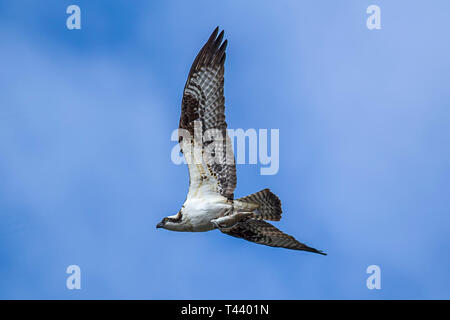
(85, 170)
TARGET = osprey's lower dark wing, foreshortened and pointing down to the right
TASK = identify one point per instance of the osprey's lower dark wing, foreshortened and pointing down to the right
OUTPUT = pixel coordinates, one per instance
(262, 232)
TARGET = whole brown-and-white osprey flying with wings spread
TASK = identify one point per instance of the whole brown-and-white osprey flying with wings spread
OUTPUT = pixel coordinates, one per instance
(204, 142)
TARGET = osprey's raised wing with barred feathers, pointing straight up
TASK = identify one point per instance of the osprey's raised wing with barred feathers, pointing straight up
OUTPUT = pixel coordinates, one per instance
(203, 113)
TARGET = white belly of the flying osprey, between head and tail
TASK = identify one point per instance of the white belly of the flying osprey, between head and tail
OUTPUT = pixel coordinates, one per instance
(200, 212)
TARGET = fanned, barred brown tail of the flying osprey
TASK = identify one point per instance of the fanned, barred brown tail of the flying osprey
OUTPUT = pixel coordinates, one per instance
(264, 204)
